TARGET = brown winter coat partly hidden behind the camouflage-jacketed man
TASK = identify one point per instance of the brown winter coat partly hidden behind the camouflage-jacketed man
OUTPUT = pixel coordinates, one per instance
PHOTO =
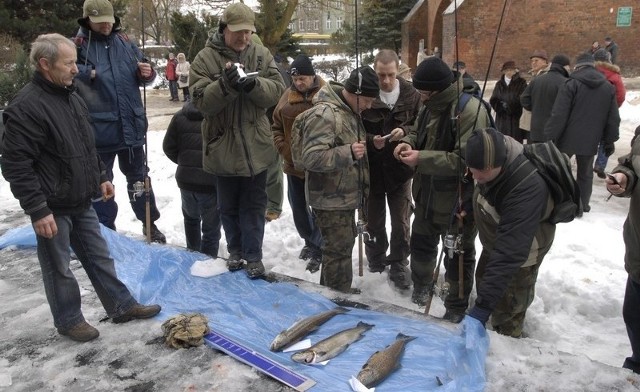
(290, 105)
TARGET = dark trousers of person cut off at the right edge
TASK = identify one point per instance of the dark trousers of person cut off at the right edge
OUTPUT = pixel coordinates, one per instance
(631, 316)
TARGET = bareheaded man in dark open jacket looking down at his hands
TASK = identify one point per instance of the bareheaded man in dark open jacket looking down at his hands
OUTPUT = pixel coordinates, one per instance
(390, 179)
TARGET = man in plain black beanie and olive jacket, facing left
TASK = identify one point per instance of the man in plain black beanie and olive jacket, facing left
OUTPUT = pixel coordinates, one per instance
(433, 147)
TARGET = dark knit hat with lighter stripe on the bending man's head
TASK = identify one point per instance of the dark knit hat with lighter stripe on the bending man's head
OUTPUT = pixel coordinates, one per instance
(486, 149)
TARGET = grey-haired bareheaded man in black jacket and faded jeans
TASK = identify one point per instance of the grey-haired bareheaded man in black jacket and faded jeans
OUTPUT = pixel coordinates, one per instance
(52, 166)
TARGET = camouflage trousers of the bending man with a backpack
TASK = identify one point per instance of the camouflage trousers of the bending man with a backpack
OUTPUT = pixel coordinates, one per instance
(508, 316)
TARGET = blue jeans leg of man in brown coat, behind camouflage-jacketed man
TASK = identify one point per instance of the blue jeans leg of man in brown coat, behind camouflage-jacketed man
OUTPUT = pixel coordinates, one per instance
(303, 219)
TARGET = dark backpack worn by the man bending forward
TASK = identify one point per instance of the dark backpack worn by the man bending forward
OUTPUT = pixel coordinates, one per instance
(554, 167)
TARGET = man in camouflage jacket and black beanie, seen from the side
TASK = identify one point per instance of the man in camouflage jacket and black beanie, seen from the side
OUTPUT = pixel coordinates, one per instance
(333, 154)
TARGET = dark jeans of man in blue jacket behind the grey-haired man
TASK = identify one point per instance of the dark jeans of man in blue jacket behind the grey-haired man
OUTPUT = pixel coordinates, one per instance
(131, 163)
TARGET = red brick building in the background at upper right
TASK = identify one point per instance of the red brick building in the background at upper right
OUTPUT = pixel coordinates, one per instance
(568, 26)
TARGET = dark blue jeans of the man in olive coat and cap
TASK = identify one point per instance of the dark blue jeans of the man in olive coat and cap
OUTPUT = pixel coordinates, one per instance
(242, 202)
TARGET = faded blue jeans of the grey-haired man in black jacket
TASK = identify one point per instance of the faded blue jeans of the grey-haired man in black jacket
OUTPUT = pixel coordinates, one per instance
(81, 232)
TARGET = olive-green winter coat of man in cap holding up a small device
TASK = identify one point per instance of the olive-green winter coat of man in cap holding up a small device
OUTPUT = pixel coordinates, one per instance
(236, 132)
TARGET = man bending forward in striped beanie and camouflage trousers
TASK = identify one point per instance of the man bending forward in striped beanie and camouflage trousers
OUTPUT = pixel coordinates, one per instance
(511, 205)
